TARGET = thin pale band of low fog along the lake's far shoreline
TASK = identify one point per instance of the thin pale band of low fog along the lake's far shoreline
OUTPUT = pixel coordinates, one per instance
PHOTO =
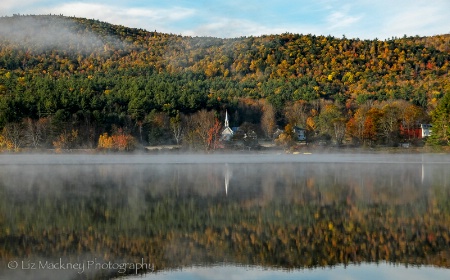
(7, 159)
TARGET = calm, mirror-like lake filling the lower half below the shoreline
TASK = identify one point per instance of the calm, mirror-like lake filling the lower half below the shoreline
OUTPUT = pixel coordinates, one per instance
(324, 216)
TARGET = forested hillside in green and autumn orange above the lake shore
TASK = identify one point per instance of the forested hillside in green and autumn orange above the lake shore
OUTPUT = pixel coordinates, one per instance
(67, 82)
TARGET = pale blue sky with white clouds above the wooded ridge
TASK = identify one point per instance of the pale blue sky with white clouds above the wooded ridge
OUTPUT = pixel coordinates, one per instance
(363, 19)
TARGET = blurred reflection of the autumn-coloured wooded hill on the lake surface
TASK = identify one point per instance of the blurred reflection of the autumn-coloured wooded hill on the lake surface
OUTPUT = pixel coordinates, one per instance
(285, 215)
